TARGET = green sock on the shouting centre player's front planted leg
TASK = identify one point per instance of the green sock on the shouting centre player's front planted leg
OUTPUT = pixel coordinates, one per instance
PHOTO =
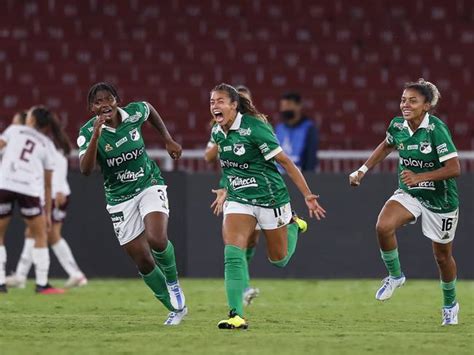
(234, 270)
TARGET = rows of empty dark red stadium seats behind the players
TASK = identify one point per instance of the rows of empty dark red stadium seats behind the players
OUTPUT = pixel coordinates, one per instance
(349, 59)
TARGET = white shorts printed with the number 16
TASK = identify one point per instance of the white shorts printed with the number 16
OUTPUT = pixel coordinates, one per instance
(439, 227)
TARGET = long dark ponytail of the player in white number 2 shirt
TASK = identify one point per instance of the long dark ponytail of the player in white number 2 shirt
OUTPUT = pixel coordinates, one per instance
(47, 119)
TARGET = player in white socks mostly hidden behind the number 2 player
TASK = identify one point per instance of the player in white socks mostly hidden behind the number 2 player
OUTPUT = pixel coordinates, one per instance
(60, 199)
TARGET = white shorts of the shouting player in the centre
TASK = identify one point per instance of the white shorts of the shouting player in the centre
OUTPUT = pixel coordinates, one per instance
(267, 218)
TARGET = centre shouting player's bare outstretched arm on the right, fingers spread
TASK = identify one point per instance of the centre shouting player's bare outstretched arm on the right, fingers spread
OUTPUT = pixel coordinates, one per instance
(297, 177)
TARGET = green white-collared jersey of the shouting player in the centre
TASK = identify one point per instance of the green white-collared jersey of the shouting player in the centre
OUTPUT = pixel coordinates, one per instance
(246, 155)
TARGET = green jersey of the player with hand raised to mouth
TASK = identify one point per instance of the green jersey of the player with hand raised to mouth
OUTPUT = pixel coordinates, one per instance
(121, 154)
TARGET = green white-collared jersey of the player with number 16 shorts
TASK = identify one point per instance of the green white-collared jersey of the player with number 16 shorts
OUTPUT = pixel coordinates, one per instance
(425, 150)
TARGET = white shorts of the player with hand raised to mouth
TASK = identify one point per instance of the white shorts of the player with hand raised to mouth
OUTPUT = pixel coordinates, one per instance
(127, 217)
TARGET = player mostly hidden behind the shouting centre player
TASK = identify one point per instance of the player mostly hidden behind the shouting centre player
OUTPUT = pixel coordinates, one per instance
(210, 155)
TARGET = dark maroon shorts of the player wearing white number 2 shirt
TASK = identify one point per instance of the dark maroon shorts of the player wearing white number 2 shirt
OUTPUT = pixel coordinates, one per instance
(29, 206)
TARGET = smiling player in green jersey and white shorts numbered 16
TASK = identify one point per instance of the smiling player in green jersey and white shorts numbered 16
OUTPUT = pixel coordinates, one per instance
(427, 168)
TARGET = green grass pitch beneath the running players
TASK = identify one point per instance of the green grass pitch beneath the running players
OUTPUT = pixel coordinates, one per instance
(289, 317)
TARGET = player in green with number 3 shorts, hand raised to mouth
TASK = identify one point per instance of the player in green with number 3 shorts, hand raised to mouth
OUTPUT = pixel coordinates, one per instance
(134, 189)
